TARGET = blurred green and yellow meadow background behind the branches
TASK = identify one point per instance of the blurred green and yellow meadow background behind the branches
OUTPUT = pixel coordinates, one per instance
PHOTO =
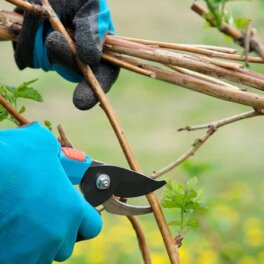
(229, 166)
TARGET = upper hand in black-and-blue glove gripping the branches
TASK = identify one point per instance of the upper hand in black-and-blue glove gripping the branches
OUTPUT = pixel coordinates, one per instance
(39, 47)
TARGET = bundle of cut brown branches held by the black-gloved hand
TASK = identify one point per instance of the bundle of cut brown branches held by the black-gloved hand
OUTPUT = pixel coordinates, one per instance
(215, 71)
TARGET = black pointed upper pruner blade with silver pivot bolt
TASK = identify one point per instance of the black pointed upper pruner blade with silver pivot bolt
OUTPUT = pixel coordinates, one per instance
(101, 182)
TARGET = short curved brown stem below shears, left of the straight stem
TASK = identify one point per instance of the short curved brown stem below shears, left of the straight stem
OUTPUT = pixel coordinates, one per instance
(141, 239)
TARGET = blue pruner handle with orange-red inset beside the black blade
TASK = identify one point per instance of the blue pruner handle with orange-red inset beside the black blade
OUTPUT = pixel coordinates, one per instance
(75, 163)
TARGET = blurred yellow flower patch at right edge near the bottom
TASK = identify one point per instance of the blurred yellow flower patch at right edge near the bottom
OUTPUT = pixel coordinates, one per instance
(253, 230)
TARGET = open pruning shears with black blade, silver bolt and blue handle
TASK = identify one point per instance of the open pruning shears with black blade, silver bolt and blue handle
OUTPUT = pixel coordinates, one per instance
(101, 183)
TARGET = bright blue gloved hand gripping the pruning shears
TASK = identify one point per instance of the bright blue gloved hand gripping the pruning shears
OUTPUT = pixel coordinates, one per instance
(41, 212)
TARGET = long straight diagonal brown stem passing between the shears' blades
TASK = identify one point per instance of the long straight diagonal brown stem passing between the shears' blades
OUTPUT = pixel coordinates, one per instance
(92, 81)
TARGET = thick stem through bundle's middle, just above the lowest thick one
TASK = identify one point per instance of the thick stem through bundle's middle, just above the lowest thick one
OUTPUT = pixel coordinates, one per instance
(185, 61)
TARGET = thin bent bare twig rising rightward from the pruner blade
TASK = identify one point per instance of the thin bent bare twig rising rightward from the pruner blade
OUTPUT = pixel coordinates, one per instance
(212, 128)
